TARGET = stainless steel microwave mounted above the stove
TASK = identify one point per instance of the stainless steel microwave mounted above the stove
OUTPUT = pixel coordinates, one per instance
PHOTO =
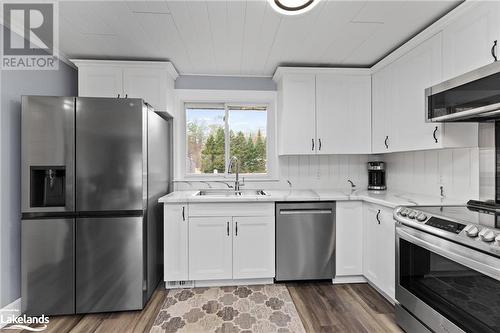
(471, 97)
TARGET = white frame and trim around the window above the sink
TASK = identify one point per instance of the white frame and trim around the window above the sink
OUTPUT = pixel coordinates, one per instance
(226, 98)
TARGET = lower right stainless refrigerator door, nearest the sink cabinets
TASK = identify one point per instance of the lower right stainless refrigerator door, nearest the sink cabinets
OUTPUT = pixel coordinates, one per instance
(109, 264)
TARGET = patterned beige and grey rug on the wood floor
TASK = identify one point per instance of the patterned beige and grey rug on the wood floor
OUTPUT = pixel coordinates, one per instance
(259, 309)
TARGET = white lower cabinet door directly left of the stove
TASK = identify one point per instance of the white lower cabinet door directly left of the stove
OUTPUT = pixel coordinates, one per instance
(379, 248)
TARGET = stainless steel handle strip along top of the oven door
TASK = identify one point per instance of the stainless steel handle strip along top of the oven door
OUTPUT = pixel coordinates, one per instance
(478, 261)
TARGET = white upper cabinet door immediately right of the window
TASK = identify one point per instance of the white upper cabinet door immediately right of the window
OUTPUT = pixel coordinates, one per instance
(297, 123)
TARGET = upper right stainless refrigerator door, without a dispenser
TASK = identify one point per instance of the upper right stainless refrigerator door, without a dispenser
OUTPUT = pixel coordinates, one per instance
(109, 154)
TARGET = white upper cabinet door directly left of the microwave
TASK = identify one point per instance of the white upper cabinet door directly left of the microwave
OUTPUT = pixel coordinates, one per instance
(413, 73)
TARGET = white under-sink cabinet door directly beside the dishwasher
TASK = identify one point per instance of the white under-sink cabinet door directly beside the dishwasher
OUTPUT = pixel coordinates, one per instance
(253, 247)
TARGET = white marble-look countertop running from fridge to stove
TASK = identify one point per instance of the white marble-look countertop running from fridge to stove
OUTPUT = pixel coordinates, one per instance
(384, 198)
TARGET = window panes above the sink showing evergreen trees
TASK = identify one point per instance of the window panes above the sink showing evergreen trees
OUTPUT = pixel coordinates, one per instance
(217, 132)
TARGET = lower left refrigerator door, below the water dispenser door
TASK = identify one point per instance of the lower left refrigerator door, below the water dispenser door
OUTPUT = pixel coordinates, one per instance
(47, 267)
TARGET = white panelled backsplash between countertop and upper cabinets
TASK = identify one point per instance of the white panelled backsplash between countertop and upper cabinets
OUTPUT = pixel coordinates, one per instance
(423, 172)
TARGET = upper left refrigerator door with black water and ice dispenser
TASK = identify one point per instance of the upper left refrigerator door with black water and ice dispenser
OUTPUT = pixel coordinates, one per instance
(47, 154)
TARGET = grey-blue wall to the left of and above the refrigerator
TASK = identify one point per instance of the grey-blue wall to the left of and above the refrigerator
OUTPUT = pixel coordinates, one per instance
(62, 82)
